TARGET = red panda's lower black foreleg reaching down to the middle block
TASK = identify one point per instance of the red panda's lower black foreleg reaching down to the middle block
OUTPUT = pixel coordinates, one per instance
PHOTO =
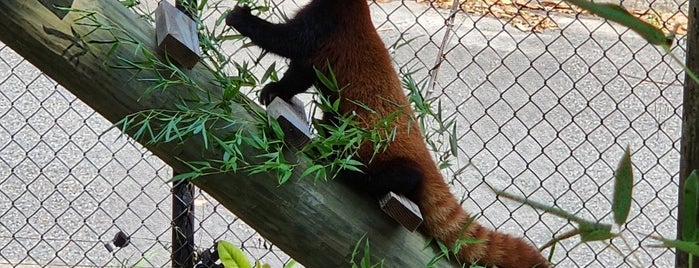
(299, 77)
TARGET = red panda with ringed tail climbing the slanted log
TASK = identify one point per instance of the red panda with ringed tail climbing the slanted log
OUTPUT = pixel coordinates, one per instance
(341, 35)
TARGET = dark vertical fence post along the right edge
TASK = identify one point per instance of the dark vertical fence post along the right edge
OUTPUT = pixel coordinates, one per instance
(689, 159)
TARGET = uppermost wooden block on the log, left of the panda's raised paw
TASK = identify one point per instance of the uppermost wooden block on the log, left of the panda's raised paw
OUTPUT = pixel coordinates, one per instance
(176, 34)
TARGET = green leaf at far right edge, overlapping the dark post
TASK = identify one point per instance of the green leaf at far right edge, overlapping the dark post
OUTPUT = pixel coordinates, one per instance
(690, 207)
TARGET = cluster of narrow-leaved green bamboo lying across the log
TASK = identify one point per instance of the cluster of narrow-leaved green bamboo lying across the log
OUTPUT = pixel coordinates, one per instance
(198, 114)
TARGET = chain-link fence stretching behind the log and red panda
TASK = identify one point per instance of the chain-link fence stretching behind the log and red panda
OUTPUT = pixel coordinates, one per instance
(545, 99)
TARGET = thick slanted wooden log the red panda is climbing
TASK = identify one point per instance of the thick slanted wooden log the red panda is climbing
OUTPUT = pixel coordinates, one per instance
(318, 224)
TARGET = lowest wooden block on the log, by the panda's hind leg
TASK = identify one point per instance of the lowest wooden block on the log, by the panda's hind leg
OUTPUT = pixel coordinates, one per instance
(401, 209)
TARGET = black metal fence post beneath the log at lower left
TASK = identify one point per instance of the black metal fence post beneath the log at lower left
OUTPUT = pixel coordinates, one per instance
(182, 224)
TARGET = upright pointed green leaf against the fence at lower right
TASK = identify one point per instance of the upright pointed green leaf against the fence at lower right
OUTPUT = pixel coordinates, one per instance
(623, 185)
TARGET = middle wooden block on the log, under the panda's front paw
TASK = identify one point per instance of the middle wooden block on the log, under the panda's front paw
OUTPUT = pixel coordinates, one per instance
(292, 119)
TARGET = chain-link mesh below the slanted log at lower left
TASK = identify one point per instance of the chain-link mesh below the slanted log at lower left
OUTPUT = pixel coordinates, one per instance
(69, 183)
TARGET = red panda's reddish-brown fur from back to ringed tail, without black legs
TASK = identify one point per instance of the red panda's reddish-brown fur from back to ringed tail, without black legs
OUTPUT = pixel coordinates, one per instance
(364, 70)
